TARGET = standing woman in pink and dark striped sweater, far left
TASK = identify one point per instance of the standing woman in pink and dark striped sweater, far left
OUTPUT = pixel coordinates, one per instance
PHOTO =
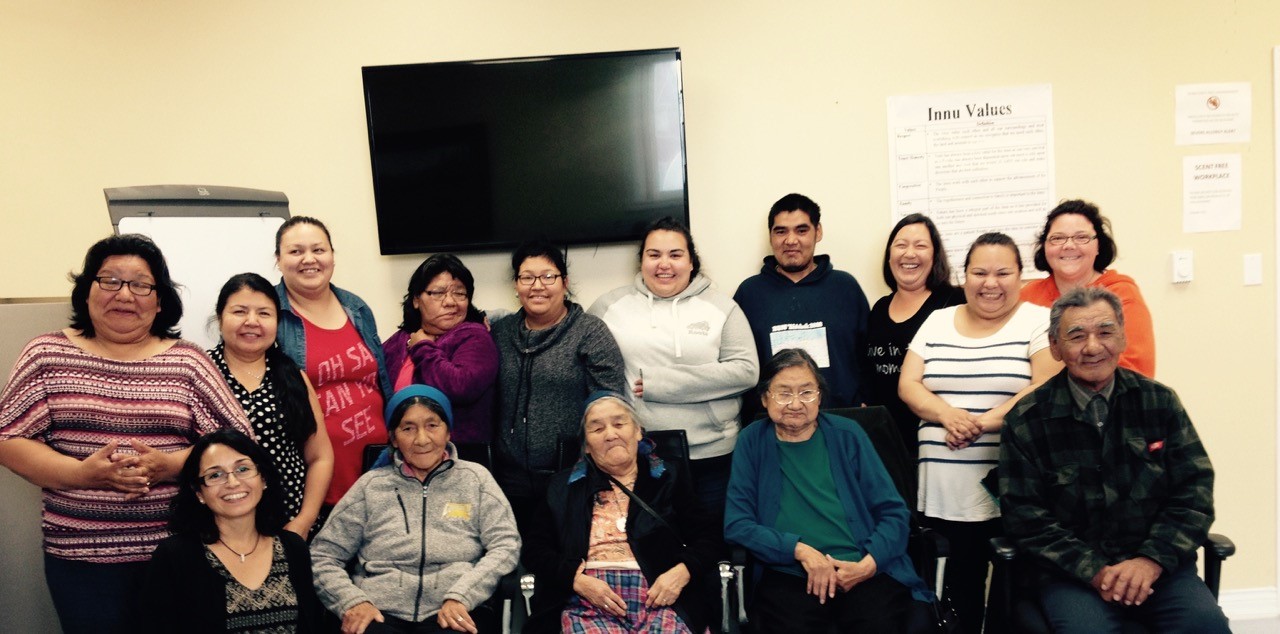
(100, 417)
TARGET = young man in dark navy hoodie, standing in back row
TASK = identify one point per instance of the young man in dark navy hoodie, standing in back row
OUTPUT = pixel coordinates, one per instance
(801, 302)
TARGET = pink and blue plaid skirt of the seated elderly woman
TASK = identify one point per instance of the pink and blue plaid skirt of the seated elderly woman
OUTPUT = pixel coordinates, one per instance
(582, 618)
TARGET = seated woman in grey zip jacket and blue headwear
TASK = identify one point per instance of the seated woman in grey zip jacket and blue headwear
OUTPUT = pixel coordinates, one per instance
(431, 535)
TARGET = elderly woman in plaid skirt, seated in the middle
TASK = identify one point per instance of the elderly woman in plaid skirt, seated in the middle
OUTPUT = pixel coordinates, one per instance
(620, 536)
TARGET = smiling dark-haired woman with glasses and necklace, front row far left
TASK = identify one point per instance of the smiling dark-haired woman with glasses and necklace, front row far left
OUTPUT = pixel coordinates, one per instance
(231, 564)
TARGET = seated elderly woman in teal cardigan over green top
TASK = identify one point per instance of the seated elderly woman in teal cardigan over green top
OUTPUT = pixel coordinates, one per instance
(812, 501)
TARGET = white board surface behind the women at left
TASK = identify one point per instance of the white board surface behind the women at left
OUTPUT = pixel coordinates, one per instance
(203, 254)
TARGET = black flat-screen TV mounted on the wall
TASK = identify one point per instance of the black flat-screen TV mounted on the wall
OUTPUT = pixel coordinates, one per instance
(483, 156)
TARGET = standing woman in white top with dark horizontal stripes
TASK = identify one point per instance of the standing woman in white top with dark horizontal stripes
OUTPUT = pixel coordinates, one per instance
(964, 371)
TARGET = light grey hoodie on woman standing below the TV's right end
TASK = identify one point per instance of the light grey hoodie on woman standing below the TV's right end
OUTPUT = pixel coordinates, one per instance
(696, 354)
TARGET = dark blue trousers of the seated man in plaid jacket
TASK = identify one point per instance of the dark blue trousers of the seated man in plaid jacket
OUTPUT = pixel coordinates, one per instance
(1182, 603)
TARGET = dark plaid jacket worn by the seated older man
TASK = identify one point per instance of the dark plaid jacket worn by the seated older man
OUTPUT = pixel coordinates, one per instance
(1076, 500)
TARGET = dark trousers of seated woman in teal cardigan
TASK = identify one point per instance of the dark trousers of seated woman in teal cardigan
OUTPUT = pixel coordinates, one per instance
(783, 605)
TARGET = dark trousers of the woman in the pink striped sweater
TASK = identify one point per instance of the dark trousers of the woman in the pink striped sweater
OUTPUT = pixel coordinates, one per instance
(93, 597)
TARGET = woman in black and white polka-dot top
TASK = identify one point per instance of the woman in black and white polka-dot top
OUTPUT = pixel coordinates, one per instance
(277, 396)
